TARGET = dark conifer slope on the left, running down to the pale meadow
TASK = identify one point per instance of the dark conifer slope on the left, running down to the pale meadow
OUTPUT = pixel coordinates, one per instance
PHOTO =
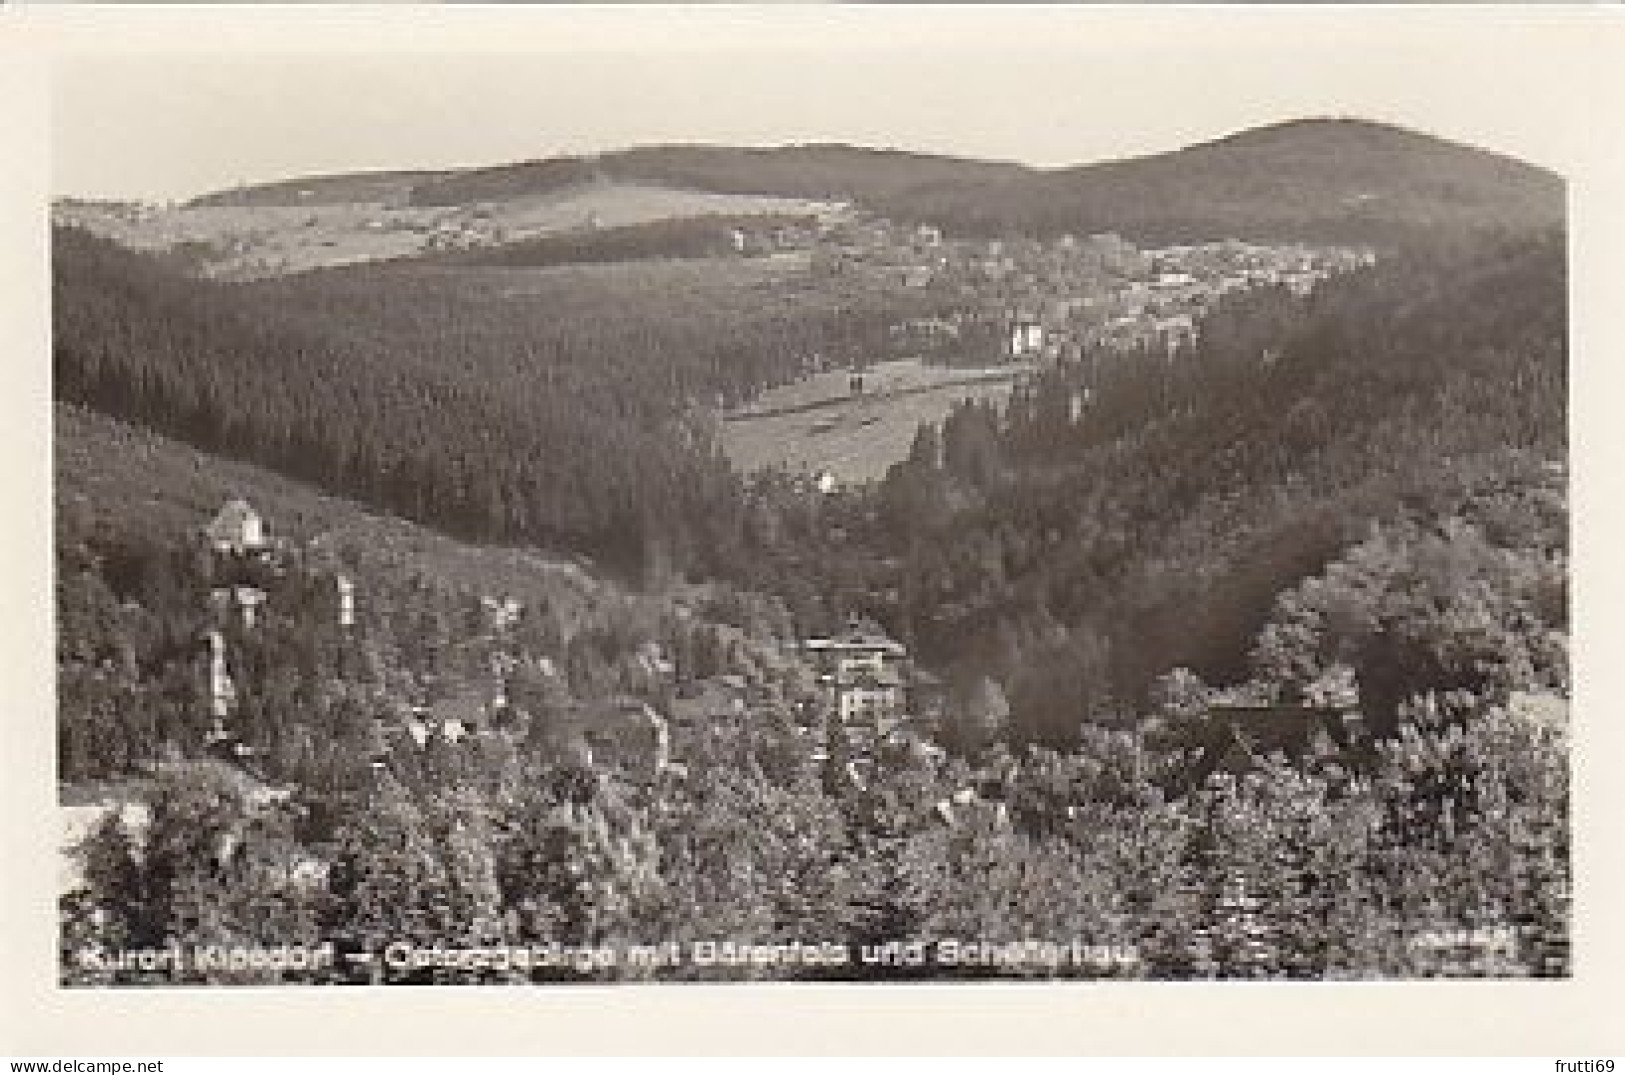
(505, 405)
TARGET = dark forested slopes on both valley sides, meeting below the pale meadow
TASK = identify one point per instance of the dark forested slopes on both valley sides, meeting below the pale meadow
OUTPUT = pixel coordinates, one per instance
(1125, 516)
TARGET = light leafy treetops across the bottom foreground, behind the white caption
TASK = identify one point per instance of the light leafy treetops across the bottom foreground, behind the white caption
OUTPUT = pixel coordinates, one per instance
(1462, 826)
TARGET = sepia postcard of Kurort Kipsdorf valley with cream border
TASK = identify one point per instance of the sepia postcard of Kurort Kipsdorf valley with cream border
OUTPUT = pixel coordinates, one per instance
(797, 498)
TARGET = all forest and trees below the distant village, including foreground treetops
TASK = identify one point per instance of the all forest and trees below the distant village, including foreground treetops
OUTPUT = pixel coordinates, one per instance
(1345, 504)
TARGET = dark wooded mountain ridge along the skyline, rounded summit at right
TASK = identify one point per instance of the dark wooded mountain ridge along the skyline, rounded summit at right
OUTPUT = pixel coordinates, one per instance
(1304, 176)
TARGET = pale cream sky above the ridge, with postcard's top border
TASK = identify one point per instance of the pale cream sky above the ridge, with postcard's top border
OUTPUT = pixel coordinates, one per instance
(183, 116)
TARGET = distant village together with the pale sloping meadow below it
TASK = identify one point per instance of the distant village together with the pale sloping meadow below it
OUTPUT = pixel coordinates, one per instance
(1008, 311)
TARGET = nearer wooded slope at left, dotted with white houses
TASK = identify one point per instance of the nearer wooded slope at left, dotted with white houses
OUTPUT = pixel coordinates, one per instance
(139, 590)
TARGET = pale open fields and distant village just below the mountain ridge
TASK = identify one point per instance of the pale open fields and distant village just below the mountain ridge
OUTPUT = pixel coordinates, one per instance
(1013, 300)
